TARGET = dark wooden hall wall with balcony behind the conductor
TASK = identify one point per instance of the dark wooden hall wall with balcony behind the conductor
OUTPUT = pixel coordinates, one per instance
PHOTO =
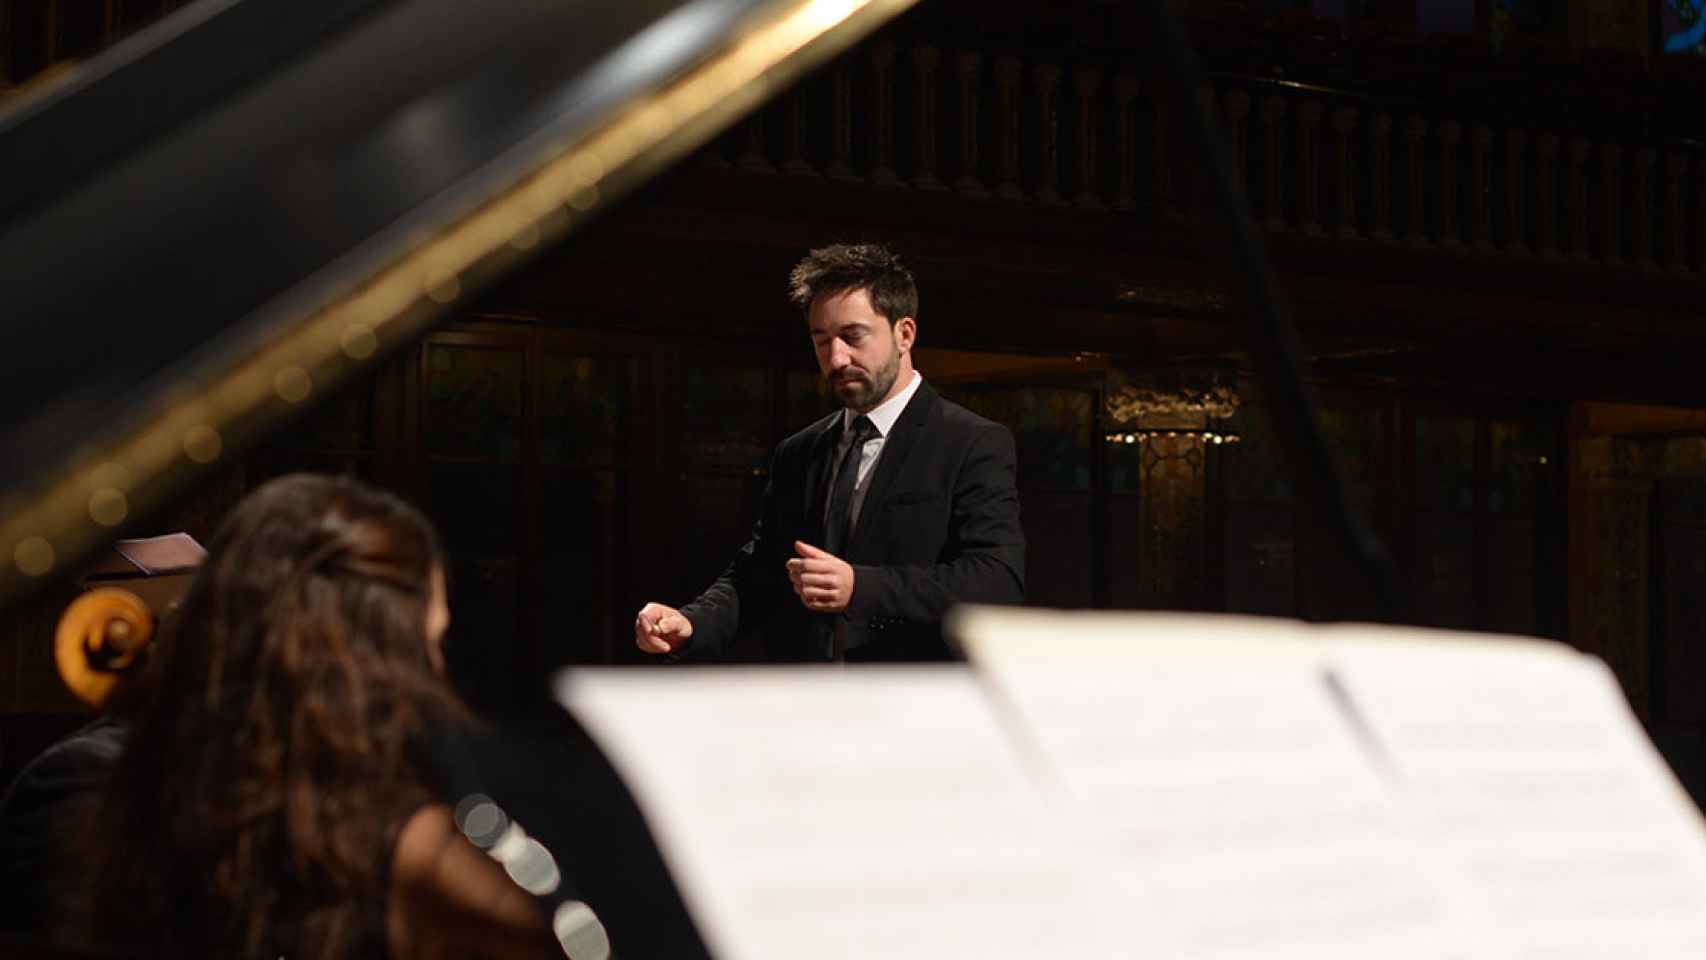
(1470, 262)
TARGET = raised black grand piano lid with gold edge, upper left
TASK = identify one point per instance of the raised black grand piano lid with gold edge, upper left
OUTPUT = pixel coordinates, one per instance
(245, 205)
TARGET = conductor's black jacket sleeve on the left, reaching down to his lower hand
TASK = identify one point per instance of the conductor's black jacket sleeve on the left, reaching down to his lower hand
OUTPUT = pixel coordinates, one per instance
(746, 596)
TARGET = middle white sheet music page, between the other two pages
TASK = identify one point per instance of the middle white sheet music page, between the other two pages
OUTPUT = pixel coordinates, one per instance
(1214, 761)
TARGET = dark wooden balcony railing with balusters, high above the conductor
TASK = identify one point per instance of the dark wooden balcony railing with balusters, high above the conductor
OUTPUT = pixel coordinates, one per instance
(1314, 161)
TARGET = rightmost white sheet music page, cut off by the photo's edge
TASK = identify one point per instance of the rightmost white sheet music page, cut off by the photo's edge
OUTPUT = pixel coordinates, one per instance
(1524, 765)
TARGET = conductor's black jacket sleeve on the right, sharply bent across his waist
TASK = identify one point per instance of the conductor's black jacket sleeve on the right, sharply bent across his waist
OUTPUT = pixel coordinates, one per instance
(984, 560)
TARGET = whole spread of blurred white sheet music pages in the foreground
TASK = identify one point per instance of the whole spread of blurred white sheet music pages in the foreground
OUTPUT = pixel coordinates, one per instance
(1171, 787)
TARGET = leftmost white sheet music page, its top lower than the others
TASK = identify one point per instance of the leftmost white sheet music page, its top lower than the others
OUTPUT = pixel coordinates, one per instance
(866, 813)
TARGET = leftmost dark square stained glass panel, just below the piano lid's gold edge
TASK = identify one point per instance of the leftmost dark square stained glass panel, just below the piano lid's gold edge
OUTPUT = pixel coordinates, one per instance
(475, 403)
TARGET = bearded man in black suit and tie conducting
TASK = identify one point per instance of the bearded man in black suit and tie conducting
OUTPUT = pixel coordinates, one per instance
(876, 519)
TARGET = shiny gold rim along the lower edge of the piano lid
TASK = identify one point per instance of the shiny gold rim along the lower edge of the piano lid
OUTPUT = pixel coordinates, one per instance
(78, 507)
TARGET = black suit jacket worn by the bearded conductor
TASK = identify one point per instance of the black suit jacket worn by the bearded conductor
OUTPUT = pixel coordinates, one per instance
(939, 526)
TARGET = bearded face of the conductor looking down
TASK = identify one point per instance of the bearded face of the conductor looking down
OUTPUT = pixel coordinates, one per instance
(859, 350)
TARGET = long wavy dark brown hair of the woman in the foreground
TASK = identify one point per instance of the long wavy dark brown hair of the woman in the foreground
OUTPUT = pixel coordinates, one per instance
(274, 739)
